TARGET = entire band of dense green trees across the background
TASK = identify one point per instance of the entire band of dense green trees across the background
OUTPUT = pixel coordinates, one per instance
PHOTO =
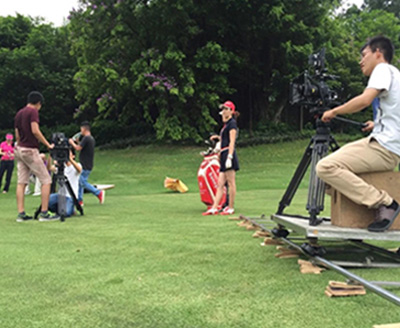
(162, 67)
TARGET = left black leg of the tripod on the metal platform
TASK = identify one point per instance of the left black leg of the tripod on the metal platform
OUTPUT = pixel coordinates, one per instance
(296, 179)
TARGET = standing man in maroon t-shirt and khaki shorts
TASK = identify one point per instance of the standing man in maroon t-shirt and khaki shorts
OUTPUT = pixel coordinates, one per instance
(28, 135)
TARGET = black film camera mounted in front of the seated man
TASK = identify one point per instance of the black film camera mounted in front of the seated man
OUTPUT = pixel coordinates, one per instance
(311, 90)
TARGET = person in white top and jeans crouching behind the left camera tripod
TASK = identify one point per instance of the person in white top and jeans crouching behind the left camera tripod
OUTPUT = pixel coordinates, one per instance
(72, 172)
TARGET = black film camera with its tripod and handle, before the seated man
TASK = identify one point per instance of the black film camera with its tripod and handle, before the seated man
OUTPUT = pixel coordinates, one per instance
(314, 94)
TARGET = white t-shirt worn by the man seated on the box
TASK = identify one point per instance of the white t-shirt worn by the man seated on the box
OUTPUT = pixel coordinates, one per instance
(386, 78)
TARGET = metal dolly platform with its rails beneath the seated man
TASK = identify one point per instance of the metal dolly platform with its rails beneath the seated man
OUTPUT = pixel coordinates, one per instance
(285, 225)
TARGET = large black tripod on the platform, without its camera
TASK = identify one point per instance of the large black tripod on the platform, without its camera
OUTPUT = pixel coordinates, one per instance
(316, 150)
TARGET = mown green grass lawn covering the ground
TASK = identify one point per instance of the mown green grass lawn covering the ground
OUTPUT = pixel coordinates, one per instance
(148, 258)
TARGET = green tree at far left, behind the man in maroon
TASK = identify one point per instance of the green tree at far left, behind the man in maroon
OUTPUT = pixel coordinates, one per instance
(35, 56)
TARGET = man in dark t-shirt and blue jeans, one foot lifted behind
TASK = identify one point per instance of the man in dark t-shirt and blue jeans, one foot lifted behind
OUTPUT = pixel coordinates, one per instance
(86, 157)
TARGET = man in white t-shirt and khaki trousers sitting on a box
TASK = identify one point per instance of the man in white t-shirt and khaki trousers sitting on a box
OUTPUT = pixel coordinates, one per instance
(378, 152)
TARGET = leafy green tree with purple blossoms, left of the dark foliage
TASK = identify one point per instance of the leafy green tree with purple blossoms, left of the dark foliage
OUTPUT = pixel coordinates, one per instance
(140, 65)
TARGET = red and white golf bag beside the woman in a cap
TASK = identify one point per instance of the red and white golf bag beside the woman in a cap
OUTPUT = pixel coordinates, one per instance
(207, 177)
